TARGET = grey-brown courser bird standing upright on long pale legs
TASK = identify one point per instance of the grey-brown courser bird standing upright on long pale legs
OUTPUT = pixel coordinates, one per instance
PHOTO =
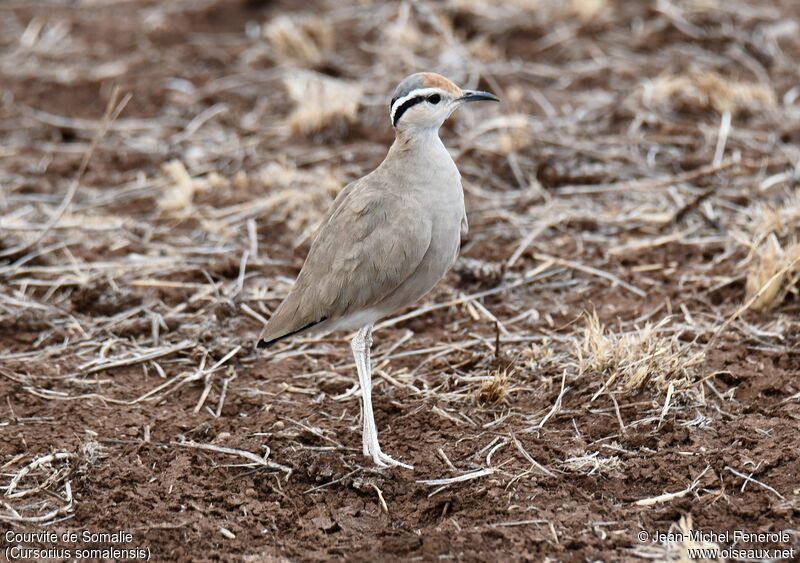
(387, 239)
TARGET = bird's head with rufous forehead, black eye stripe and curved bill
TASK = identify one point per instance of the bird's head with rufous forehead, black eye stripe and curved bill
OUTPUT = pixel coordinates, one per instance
(425, 99)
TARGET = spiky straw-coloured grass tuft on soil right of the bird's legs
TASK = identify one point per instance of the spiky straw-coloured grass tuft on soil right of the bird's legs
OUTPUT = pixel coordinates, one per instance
(636, 359)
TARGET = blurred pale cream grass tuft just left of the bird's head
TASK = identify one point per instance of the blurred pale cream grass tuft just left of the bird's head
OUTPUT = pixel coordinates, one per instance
(321, 102)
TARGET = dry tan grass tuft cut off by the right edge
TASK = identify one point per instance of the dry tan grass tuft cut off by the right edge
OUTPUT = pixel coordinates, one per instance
(773, 274)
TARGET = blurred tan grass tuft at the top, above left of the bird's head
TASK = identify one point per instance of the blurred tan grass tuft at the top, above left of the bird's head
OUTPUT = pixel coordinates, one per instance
(301, 41)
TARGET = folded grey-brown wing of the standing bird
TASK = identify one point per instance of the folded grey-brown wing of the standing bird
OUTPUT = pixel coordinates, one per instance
(370, 243)
